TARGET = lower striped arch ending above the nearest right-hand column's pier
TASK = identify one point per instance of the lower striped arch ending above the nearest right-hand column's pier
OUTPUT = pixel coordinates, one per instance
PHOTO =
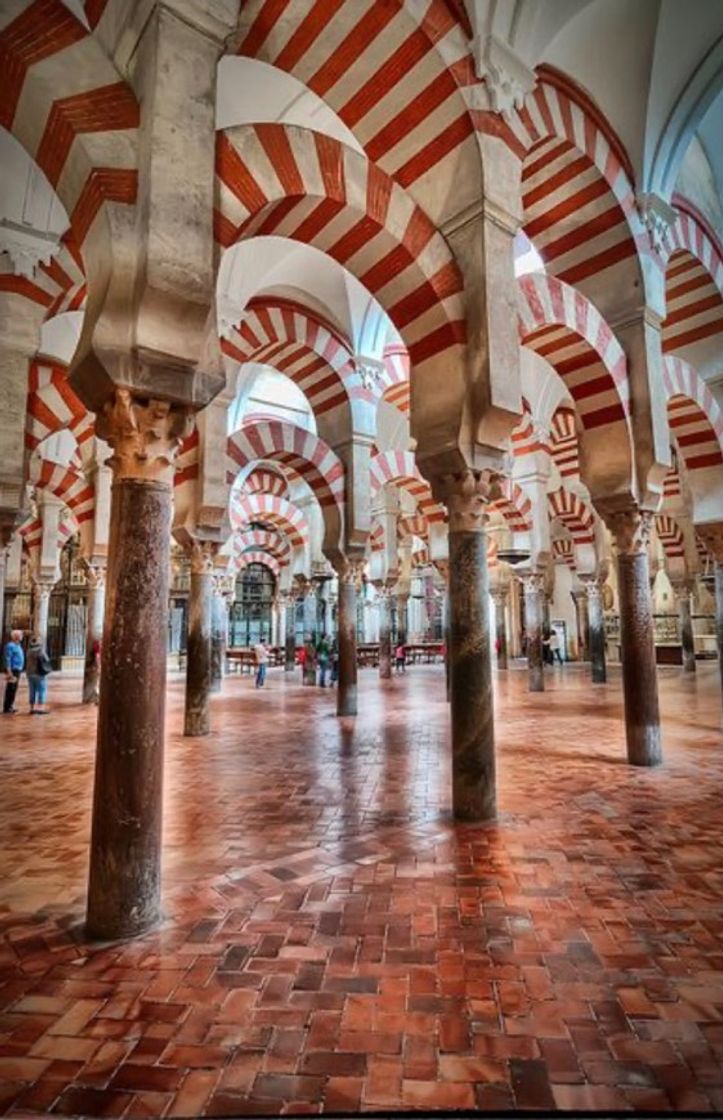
(562, 326)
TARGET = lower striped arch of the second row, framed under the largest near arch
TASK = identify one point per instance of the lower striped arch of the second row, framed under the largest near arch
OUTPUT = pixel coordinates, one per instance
(288, 444)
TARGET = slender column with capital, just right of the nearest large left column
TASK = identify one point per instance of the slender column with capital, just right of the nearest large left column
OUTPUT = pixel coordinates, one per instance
(199, 673)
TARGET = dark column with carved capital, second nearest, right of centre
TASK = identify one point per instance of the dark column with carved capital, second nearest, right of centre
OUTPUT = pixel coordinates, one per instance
(474, 789)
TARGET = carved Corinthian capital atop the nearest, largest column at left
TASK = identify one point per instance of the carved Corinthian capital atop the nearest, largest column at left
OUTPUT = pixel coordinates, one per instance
(145, 435)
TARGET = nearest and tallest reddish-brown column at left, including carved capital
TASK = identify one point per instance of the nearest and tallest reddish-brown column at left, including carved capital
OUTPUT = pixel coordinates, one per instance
(126, 839)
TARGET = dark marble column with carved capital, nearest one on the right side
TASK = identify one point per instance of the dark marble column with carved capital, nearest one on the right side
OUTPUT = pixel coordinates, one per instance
(632, 530)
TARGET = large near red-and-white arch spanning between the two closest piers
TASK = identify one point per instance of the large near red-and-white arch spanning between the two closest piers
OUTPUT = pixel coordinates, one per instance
(294, 183)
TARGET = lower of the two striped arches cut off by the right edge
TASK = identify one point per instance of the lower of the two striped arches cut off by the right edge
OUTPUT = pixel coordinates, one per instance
(694, 416)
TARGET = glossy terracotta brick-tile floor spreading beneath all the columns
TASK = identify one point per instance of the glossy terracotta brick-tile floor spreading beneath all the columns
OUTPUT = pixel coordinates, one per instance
(333, 942)
